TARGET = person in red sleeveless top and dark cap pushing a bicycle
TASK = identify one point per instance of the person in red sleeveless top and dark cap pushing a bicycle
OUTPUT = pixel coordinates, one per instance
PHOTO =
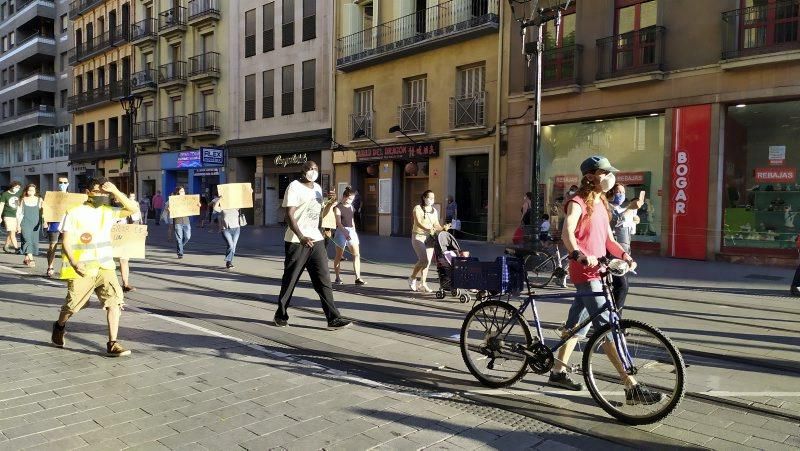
(588, 237)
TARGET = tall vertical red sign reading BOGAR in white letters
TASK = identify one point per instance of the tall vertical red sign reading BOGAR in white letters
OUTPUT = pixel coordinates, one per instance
(689, 185)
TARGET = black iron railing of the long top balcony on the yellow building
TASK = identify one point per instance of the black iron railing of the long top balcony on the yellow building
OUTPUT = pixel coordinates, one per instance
(448, 18)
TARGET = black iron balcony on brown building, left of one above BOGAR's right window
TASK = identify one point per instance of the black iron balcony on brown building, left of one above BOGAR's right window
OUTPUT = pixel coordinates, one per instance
(632, 53)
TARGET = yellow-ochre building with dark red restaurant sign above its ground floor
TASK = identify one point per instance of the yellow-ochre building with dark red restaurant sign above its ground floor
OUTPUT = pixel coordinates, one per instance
(418, 99)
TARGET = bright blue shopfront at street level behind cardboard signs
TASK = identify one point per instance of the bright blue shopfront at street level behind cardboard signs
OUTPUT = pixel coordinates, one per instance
(199, 171)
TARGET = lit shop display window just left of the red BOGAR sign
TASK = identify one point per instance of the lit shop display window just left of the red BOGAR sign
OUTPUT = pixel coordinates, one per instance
(635, 145)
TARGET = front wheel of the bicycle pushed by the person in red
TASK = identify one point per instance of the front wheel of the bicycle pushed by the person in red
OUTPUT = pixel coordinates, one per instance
(658, 371)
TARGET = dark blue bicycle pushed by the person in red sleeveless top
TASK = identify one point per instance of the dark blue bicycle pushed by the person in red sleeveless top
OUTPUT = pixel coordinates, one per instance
(498, 349)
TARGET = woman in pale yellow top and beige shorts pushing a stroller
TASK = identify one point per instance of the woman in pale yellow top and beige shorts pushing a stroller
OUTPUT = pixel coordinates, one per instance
(425, 226)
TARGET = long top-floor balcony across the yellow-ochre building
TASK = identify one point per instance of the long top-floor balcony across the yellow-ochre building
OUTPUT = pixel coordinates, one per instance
(441, 25)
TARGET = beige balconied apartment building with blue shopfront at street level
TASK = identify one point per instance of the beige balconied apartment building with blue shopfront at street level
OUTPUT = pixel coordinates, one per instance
(181, 70)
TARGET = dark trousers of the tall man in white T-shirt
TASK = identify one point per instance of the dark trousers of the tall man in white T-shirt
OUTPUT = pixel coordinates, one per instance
(315, 259)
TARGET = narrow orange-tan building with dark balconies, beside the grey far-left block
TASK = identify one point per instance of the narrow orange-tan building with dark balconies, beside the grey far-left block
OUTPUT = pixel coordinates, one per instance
(101, 70)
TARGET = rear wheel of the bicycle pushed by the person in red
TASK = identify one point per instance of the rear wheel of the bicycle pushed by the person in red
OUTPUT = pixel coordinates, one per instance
(494, 339)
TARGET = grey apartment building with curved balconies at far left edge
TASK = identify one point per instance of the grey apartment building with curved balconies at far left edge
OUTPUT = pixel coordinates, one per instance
(34, 87)
